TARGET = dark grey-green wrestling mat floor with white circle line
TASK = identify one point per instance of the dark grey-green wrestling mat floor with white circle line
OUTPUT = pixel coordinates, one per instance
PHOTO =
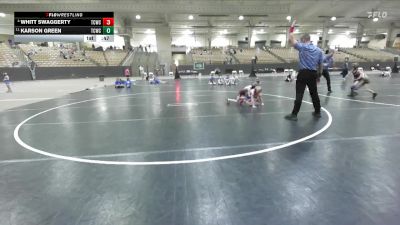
(210, 163)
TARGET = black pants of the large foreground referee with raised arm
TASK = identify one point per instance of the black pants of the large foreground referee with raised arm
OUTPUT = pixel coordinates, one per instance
(306, 78)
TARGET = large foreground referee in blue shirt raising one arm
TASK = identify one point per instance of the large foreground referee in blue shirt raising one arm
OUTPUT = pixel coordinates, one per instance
(310, 68)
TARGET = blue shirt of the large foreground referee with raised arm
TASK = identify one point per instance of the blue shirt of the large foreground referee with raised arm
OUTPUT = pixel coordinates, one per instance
(310, 56)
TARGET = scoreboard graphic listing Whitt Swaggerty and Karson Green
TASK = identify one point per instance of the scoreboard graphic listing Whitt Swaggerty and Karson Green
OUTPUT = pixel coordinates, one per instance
(64, 26)
